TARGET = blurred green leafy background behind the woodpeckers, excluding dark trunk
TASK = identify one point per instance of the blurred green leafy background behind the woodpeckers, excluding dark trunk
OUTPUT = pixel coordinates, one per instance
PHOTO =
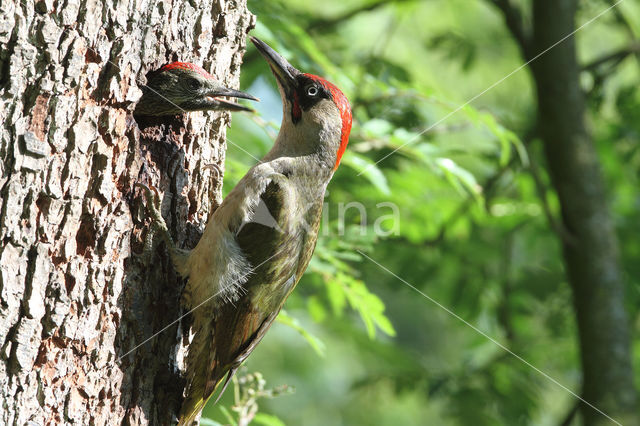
(477, 228)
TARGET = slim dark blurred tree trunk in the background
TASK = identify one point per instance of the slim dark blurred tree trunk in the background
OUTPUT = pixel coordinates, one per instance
(591, 255)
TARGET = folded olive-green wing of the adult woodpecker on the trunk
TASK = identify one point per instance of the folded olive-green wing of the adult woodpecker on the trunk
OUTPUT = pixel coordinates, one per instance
(278, 247)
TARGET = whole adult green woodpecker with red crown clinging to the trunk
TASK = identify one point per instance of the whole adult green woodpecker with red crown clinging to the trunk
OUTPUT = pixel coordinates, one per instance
(258, 243)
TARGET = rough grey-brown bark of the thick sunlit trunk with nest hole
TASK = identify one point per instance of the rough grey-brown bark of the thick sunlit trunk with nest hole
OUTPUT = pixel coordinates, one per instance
(75, 292)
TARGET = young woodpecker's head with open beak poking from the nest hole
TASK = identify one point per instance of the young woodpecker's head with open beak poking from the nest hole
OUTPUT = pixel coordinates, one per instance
(182, 87)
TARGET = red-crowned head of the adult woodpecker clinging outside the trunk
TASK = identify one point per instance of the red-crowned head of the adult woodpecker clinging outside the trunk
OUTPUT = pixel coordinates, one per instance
(316, 114)
